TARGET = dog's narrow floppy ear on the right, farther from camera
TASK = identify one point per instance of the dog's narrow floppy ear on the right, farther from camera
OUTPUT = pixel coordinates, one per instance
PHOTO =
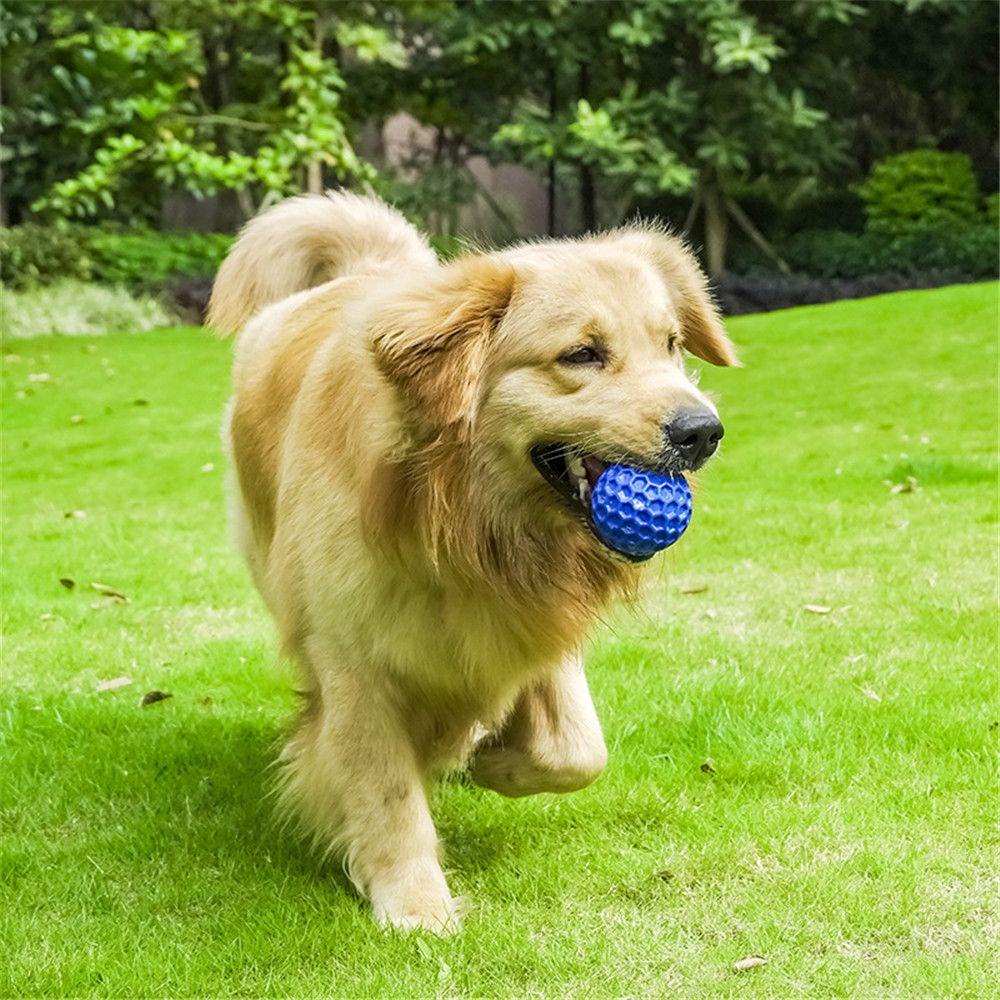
(701, 326)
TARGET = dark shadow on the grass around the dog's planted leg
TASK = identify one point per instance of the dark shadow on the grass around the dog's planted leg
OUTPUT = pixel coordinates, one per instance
(188, 787)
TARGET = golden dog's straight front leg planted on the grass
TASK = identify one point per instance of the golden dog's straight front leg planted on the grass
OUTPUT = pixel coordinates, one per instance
(353, 774)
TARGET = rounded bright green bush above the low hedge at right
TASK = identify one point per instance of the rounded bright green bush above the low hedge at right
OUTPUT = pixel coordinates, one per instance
(921, 186)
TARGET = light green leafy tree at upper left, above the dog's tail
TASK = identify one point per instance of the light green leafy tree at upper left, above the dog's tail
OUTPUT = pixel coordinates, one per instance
(209, 94)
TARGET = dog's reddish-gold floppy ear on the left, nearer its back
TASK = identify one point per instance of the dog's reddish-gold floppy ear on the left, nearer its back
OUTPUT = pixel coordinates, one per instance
(432, 341)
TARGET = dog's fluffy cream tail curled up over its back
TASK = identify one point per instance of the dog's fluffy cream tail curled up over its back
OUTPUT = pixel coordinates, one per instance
(304, 242)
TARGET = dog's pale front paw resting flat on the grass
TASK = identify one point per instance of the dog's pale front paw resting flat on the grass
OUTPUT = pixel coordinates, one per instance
(417, 899)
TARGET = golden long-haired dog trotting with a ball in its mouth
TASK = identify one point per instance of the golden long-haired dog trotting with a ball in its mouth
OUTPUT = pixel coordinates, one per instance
(413, 445)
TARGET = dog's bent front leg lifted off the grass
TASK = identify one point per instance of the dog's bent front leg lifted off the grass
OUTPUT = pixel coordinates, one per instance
(551, 742)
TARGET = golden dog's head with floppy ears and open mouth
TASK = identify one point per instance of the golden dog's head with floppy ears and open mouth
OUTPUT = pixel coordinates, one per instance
(531, 370)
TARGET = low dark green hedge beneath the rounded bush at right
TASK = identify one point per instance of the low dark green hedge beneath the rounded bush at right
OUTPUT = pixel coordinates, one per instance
(967, 252)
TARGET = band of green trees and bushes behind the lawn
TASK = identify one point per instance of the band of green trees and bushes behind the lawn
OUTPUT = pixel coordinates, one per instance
(829, 138)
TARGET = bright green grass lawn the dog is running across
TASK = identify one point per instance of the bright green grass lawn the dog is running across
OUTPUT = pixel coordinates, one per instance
(847, 832)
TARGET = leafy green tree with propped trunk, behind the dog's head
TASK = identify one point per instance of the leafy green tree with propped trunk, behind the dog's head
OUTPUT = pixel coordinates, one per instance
(696, 98)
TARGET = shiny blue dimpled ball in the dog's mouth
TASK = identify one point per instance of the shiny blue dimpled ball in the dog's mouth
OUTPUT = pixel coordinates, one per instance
(639, 513)
